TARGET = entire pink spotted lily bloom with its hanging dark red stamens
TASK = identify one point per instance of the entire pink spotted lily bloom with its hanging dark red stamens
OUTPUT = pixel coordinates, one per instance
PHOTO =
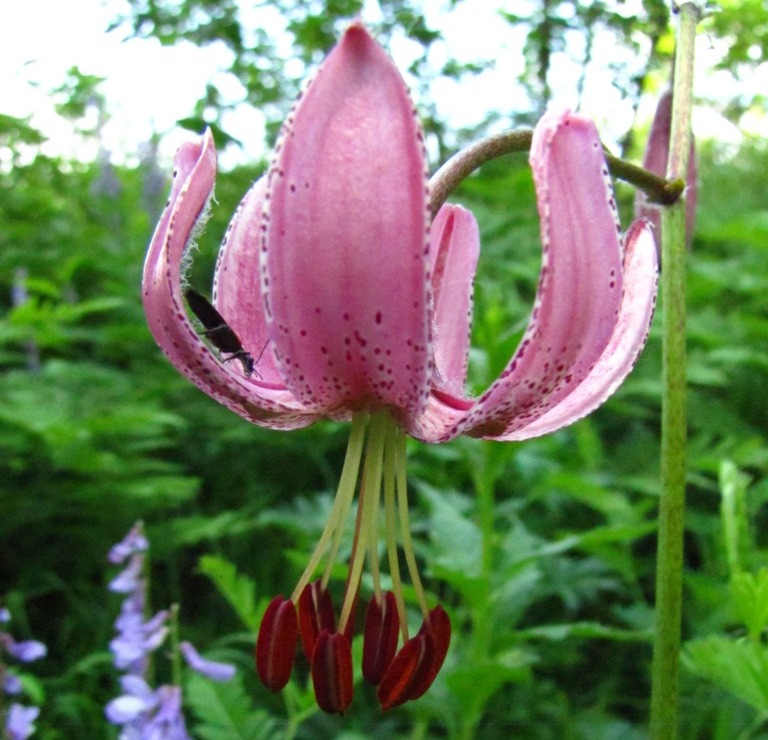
(333, 262)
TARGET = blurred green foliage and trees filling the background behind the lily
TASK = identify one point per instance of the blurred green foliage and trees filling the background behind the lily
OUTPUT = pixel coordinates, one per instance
(543, 552)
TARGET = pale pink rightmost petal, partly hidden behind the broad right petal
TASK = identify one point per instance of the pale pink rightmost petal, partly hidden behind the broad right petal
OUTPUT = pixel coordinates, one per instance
(625, 345)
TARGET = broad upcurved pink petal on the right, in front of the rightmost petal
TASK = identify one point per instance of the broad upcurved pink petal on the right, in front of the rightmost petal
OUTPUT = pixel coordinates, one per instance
(580, 286)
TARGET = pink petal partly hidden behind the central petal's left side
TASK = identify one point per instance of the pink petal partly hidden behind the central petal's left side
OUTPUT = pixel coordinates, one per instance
(236, 284)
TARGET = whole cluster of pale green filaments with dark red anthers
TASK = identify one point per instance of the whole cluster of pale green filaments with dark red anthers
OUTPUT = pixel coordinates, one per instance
(379, 443)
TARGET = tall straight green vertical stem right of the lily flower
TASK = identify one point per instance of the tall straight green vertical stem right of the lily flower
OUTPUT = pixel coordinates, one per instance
(669, 573)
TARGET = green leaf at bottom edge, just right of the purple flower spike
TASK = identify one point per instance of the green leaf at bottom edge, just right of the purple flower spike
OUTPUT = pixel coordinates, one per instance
(224, 712)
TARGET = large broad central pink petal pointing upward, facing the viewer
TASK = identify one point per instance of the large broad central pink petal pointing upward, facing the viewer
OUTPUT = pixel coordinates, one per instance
(344, 268)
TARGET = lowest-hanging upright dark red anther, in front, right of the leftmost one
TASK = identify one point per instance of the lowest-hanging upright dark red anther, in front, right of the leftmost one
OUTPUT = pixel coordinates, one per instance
(332, 672)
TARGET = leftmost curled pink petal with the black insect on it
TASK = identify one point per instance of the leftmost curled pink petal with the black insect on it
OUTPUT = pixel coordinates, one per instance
(194, 173)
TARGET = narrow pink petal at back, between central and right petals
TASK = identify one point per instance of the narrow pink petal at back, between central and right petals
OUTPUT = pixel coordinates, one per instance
(455, 246)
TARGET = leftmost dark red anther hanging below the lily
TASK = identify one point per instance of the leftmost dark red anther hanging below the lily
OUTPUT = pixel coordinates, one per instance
(276, 643)
